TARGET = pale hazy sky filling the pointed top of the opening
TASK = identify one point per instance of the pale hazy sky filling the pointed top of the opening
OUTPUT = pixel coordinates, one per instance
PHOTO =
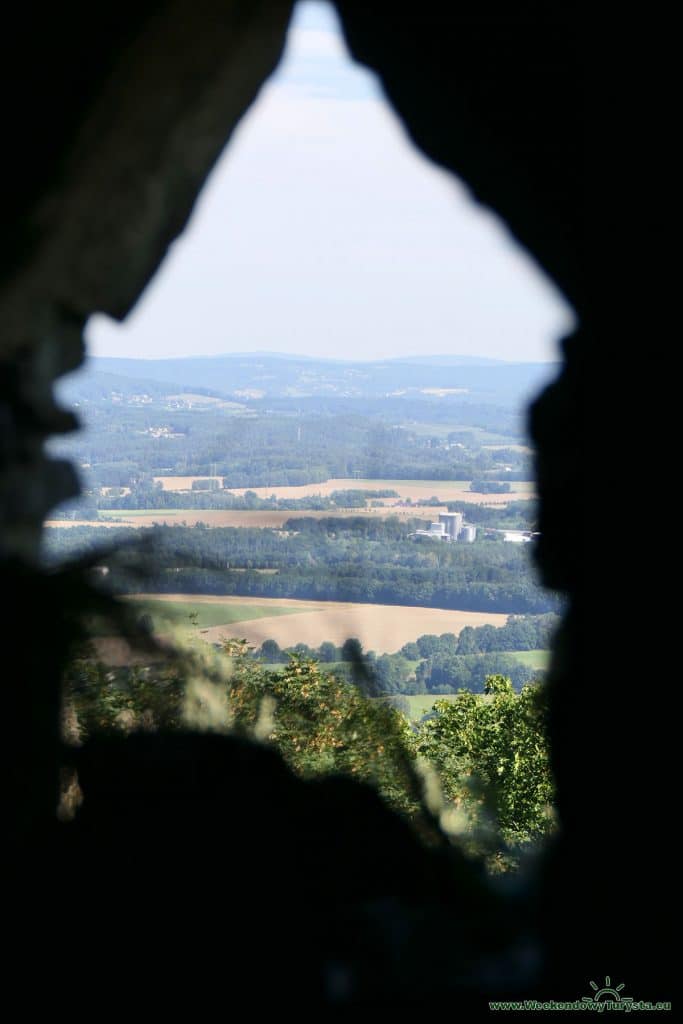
(323, 232)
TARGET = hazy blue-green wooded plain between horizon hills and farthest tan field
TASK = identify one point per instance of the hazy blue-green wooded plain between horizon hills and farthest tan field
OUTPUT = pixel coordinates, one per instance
(122, 446)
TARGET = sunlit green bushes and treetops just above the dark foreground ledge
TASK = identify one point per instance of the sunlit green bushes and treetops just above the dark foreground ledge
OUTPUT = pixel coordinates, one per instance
(489, 752)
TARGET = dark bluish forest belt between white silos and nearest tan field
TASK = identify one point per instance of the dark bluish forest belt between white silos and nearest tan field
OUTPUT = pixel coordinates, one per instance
(353, 560)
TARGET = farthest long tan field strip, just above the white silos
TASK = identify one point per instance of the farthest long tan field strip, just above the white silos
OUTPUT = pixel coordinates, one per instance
(453, 491)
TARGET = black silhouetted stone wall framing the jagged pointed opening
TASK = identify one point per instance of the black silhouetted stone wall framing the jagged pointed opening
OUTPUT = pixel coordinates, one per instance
(200, 865)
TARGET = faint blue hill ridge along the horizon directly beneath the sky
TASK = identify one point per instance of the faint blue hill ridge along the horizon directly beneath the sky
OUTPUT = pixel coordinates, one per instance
(268, 375)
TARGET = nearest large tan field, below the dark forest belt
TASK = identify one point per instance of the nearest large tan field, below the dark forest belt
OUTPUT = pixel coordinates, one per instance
(379, 627)
